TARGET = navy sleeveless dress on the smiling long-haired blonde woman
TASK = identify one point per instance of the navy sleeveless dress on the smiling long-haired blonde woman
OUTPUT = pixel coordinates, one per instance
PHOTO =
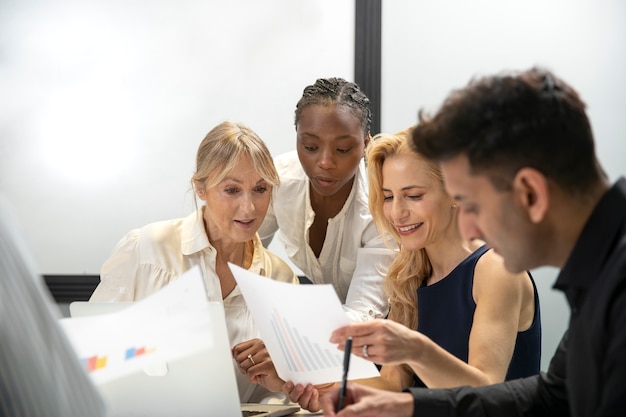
(446, 313)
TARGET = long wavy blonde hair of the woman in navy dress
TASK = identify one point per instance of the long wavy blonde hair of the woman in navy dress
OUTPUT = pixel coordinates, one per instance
(410, 268)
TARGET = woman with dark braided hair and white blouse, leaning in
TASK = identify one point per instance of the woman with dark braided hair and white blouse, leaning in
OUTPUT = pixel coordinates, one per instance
(321, 206)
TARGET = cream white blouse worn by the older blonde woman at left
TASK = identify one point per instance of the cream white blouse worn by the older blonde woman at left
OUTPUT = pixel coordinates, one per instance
(148, 258)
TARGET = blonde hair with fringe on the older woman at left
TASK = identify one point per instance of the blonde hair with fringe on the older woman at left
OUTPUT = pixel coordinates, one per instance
(223, 147)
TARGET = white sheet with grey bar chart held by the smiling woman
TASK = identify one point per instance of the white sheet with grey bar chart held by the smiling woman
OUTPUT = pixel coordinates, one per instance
(295, 323)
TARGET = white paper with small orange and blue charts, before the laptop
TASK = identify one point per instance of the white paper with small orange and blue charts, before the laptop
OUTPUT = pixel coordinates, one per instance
(145, 336)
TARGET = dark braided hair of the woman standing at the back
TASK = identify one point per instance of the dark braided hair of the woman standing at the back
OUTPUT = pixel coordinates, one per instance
(327, 91)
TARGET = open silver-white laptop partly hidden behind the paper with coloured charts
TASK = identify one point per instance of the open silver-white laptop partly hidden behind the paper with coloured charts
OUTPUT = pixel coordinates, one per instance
(201, 384)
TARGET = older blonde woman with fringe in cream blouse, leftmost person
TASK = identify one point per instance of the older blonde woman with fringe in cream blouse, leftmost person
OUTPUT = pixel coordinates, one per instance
(234, 178)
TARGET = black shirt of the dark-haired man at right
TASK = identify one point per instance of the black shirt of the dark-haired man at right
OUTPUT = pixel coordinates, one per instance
(587, 375)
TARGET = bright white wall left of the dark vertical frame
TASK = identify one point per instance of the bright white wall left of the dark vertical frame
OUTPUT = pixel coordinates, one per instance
(104, 103)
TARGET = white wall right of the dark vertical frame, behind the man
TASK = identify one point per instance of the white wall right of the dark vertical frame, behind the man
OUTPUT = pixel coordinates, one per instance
(431, 47)
